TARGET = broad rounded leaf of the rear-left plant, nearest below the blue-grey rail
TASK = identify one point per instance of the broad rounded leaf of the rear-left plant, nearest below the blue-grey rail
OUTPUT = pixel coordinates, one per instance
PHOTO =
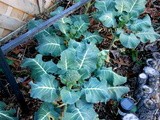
(53, 45)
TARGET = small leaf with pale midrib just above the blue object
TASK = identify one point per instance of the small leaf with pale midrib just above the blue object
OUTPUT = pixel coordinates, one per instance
(116, 92)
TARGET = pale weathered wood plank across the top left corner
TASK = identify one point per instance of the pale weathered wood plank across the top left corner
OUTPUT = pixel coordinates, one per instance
(24, 5)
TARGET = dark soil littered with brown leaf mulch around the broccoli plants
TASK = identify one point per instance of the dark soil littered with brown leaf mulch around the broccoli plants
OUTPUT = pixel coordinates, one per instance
(127, 62)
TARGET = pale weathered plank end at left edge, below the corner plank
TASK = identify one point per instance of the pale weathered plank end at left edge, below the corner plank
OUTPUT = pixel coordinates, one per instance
(10, 23)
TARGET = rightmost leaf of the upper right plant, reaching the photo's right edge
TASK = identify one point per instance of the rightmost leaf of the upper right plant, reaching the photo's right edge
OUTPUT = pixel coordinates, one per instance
(148, 35)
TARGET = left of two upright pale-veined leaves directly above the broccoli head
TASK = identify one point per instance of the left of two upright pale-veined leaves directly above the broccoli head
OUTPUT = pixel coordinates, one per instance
(68, 60)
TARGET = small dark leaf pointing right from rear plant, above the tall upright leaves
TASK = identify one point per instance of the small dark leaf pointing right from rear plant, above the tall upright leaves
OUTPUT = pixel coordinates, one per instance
(94, 38)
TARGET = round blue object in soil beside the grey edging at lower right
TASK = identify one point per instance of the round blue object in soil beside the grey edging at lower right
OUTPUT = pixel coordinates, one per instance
(126, 105)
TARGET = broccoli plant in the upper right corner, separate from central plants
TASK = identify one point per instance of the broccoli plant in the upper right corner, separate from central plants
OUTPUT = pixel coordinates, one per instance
(123, 16)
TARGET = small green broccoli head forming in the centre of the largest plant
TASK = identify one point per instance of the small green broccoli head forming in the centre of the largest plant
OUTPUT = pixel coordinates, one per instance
(70, 77)
